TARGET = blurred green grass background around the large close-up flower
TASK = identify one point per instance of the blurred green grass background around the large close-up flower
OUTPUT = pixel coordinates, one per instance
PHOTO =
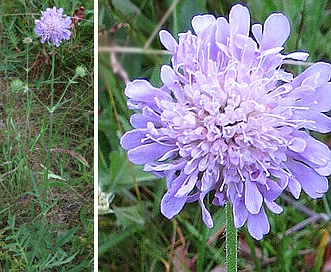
(133, 235)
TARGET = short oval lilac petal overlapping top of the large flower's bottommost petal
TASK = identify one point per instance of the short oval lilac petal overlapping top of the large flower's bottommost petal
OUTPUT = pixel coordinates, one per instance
(253, 197)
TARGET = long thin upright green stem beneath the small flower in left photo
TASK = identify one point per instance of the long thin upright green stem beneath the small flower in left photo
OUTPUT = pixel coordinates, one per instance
(50, 138)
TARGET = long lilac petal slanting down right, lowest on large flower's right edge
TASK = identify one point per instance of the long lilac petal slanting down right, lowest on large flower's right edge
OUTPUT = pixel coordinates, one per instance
(312, 183)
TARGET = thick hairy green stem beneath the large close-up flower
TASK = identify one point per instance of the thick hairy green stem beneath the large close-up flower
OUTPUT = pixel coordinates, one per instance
(231, 241)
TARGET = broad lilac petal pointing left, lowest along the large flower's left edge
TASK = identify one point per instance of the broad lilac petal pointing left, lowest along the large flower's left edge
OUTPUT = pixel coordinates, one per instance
(148, 153)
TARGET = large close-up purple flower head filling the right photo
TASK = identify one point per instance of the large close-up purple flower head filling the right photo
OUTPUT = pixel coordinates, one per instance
(230, 121)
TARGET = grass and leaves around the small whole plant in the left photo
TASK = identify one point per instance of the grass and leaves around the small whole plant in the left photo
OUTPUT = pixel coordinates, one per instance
(46, 209)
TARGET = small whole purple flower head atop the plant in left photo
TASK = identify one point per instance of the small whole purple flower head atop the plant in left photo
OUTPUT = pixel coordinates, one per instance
(53, 26)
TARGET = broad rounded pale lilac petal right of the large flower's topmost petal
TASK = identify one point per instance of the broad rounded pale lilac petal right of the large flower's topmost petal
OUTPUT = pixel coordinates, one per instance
(275, 31)
